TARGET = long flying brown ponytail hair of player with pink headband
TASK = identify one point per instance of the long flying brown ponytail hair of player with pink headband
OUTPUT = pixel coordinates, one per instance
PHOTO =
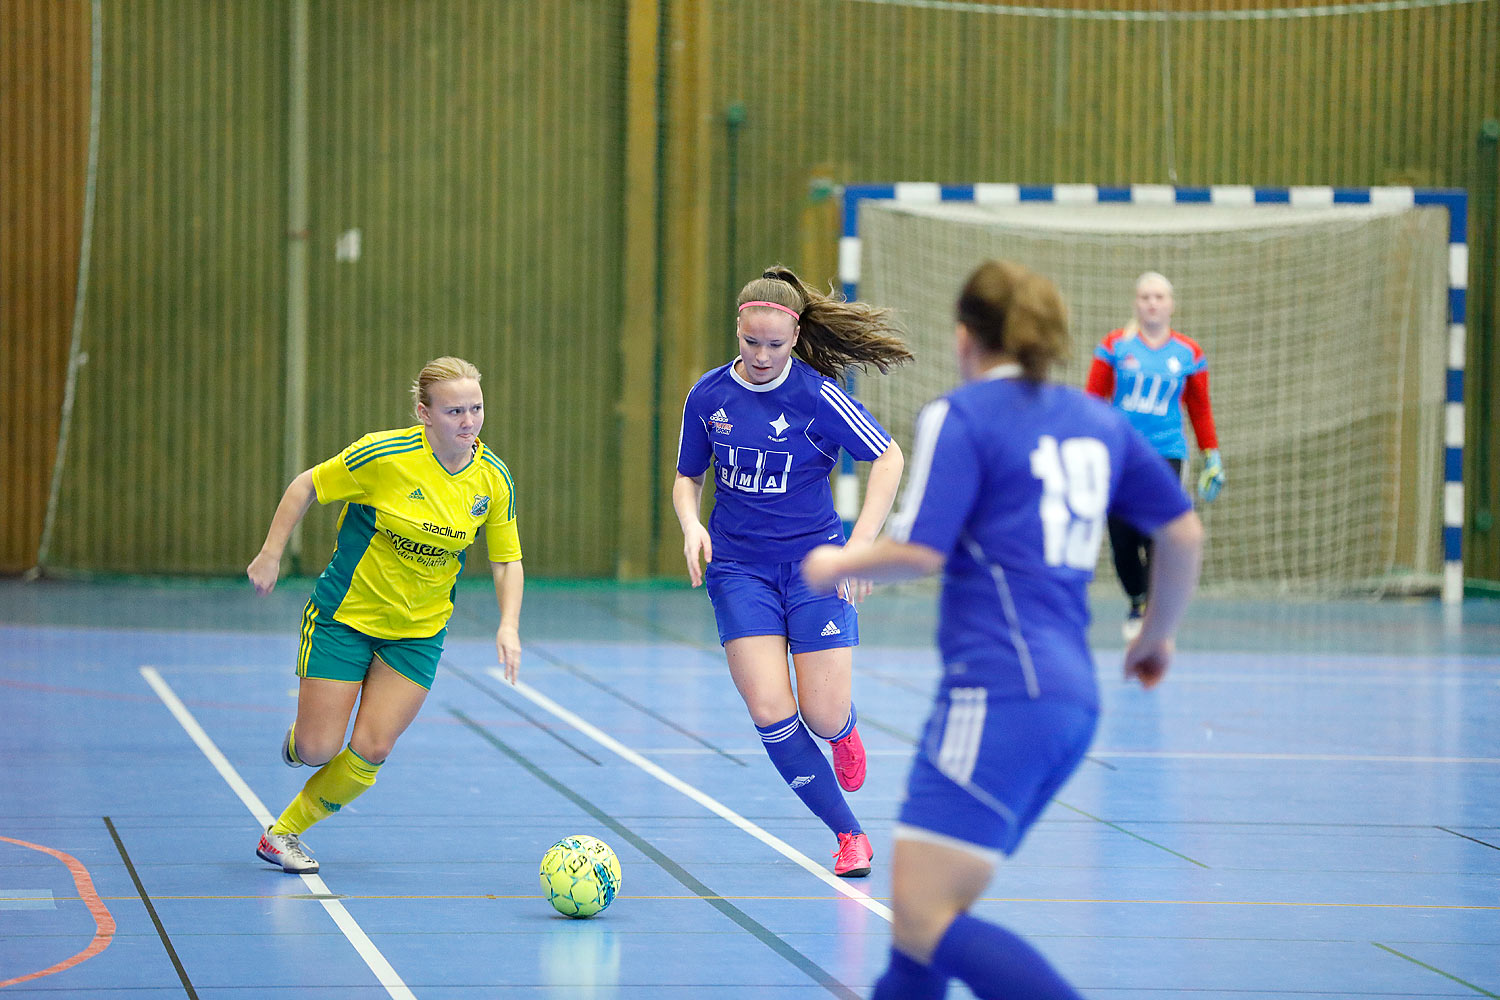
(835, 335)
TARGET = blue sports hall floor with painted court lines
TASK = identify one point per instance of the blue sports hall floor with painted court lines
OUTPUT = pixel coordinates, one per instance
(1309, 807)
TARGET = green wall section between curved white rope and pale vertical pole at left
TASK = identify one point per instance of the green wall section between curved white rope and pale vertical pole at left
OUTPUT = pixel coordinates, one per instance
(176, 428)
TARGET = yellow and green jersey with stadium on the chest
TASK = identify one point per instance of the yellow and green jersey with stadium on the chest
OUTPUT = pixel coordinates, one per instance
(404, 531)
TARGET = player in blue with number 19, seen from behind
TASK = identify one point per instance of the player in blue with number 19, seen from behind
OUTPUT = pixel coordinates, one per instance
(1012, 484)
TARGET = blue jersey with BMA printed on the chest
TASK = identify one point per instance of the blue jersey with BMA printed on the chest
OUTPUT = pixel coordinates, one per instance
(773, 448)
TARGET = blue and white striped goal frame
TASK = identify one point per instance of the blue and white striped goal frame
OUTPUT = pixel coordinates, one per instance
(1450, 199)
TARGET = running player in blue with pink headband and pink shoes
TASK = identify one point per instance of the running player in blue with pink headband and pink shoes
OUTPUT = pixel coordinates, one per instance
(770, 428)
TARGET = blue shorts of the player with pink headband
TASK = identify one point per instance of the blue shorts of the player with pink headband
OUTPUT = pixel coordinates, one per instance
(770, 599)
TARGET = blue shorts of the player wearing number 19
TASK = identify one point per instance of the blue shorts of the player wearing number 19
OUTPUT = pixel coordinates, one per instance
(988, 767)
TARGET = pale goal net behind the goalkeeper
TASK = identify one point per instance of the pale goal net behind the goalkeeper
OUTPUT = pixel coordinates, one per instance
(1325, 337)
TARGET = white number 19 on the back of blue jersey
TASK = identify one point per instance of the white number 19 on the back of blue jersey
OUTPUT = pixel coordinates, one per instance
(1075, 496)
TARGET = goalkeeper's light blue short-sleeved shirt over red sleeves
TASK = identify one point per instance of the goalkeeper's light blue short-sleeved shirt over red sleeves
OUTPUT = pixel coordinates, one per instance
(1150, 382)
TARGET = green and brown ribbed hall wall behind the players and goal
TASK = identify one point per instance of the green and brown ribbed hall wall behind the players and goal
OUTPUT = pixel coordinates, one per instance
(545, 188)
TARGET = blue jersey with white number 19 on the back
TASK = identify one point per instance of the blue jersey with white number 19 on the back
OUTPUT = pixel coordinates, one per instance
(1013, 482)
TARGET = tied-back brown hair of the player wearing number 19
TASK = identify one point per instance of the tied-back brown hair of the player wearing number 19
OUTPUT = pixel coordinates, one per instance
(1018, 313)
